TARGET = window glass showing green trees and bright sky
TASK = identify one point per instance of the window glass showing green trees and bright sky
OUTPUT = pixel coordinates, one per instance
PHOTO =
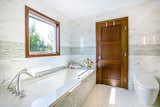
(42, 36)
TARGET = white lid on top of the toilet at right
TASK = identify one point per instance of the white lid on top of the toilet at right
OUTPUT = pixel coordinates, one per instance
(147, 82)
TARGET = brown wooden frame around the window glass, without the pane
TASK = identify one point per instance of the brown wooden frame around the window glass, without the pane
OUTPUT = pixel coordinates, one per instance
(47, 19)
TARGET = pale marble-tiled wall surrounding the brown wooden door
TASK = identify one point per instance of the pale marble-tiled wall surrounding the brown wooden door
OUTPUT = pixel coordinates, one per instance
(144, 36)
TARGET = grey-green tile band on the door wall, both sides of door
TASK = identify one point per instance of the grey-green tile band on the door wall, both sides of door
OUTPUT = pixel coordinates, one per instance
(153, 50)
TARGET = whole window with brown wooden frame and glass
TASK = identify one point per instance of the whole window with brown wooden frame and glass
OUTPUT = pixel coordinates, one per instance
(42, 34)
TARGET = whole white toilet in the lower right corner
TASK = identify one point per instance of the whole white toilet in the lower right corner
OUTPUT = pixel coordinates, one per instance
(146, 87)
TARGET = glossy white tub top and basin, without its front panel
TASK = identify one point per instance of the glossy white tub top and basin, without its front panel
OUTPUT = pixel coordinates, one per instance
(45, 90)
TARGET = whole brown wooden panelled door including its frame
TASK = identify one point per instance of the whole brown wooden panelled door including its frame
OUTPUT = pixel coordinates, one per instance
(112, 52)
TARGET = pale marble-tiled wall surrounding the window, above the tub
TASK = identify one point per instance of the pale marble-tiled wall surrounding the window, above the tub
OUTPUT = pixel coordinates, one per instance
(12, 38)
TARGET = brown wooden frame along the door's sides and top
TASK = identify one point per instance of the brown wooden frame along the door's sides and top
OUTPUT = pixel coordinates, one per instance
(124, 74)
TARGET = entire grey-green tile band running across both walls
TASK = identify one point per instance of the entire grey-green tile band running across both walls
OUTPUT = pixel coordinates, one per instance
(16, 50)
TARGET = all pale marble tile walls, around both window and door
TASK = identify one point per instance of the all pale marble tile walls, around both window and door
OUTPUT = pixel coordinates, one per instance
(80, 43)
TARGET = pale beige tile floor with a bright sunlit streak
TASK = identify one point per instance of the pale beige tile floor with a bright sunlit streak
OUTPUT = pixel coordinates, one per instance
(106, 96)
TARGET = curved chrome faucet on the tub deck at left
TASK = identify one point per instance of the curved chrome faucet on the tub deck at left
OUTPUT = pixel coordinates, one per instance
(18, 90)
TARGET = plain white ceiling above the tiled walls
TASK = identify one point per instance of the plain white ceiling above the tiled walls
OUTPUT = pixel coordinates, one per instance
(79, 8)
